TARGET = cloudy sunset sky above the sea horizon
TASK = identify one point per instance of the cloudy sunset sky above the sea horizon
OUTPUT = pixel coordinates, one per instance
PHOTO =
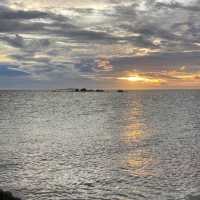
(109, 44)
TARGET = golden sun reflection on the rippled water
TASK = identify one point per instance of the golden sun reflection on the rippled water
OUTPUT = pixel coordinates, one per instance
(138, 160)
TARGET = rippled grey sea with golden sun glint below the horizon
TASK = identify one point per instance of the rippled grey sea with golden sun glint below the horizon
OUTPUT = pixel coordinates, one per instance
(133, 145)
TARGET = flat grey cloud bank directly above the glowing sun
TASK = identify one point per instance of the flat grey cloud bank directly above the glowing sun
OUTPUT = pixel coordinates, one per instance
(157, 62)
